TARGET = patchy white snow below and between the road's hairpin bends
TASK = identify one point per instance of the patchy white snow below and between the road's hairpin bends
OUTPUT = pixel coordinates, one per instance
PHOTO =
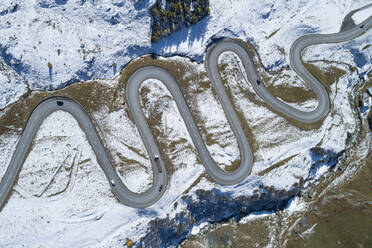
(88, 204)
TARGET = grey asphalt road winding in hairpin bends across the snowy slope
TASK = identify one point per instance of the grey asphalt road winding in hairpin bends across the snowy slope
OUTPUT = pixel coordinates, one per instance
(160, 178)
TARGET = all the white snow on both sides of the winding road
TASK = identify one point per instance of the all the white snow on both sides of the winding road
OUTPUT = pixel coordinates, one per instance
(62, 197)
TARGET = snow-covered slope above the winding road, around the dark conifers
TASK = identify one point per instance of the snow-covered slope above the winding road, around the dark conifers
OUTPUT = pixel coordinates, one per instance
(95, 39)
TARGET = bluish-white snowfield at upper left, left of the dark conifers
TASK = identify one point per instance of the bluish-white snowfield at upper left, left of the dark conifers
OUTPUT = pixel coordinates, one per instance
(81, 39)
